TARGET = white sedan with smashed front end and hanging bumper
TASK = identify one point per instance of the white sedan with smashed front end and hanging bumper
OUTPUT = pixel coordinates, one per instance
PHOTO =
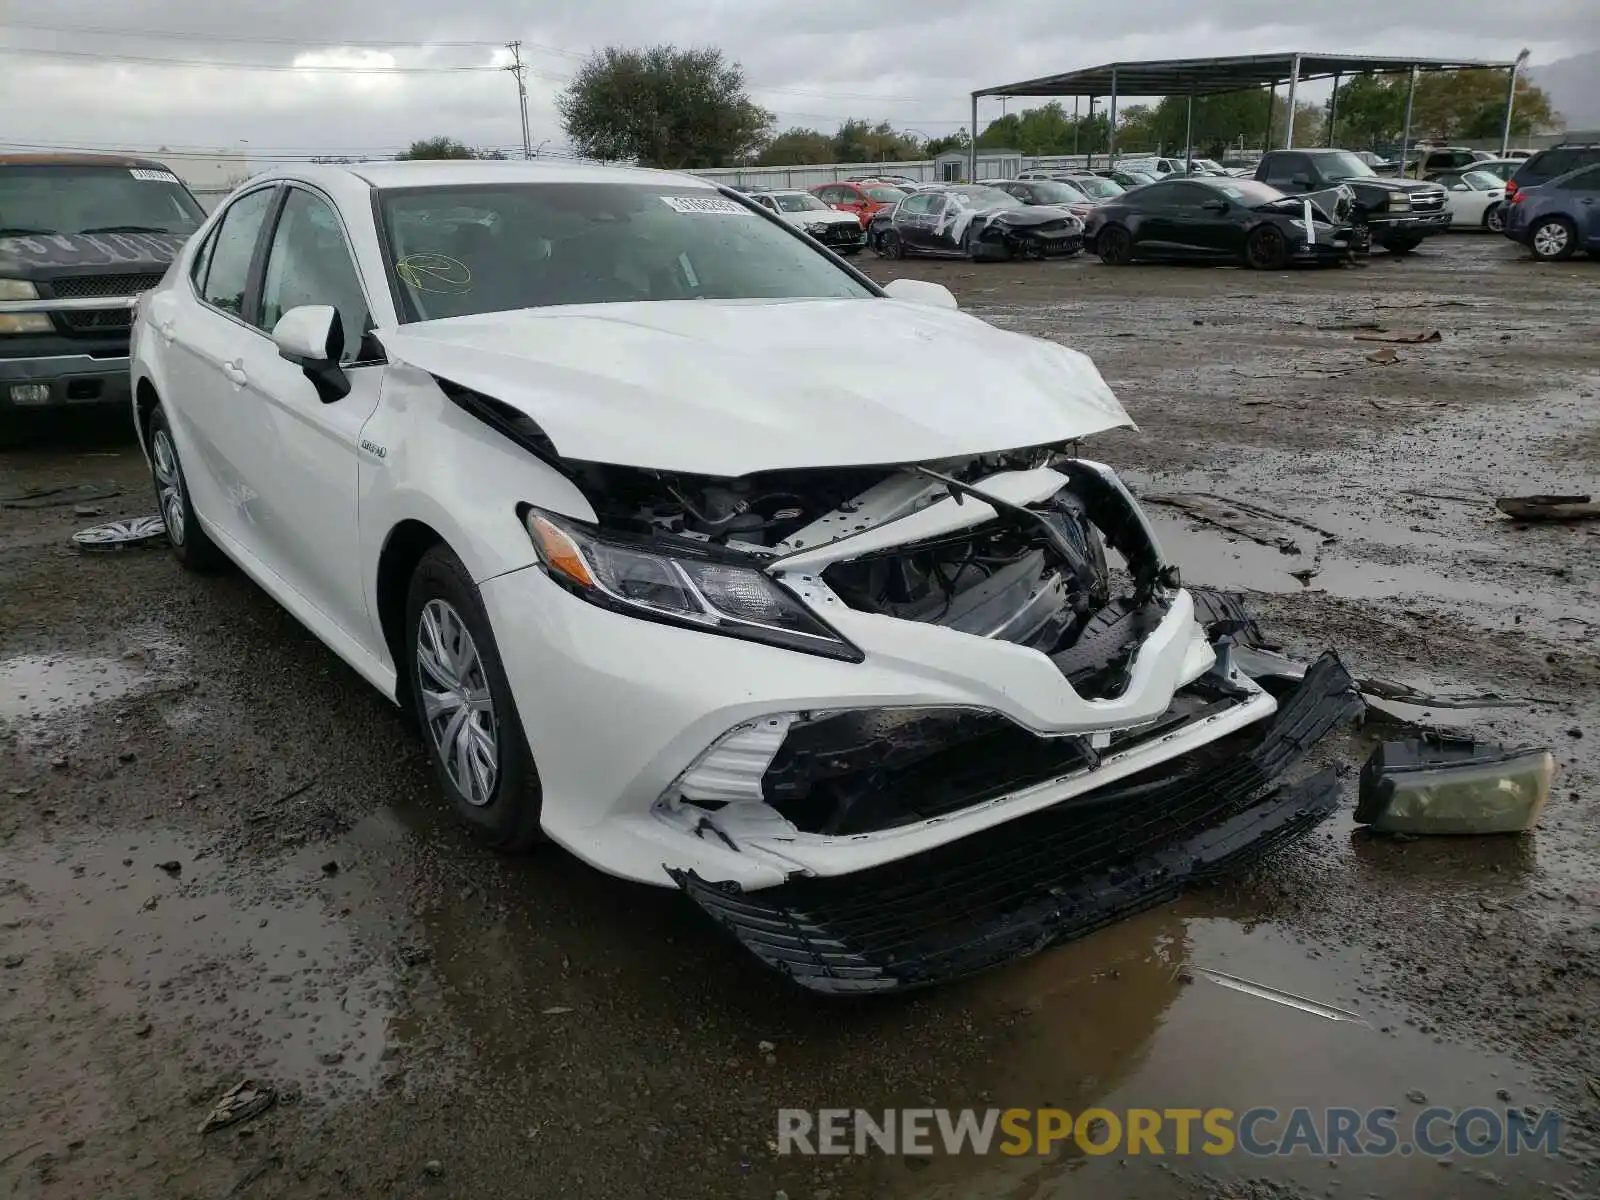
(702, 554)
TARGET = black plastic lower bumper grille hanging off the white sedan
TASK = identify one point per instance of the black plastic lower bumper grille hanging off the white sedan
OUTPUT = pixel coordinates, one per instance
(1050, 876)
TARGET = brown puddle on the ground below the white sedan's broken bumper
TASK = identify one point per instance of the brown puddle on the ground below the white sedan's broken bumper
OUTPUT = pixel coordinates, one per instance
(1111, 1023)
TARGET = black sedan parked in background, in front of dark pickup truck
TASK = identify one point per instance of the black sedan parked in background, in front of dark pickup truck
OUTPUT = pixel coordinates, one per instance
(1217, 220)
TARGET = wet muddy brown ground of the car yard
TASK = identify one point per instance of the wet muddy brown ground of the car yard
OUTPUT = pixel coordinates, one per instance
(222, 854)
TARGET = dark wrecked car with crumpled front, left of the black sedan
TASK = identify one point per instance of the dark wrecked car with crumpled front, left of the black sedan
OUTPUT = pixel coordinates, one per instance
(975, 222)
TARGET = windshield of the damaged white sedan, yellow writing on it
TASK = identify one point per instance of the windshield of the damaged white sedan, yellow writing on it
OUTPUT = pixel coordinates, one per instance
(534, 246)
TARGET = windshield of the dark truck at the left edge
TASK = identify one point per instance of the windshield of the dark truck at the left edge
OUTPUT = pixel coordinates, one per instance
(62, 199)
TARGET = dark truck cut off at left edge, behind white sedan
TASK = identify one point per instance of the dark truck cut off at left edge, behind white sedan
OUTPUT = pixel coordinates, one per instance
(81, 238)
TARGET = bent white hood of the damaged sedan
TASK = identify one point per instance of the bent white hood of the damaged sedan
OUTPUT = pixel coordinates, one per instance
(732, 388)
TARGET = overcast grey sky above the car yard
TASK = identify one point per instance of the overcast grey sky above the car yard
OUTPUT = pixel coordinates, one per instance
(812, 62)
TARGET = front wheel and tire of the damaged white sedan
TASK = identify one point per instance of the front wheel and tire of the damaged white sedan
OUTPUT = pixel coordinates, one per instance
(479, 753)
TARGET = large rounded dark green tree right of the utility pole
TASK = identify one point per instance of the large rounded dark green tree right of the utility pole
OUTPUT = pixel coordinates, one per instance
(665, 108)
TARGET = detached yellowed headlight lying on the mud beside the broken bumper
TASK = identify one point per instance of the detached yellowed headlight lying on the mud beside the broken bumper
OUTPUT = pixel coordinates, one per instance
(1449, 785)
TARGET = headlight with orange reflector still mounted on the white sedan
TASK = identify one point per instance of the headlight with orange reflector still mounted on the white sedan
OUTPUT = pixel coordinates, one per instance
(687, 586)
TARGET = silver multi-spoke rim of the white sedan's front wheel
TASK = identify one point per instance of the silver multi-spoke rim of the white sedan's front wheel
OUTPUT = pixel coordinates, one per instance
(457, 703)
